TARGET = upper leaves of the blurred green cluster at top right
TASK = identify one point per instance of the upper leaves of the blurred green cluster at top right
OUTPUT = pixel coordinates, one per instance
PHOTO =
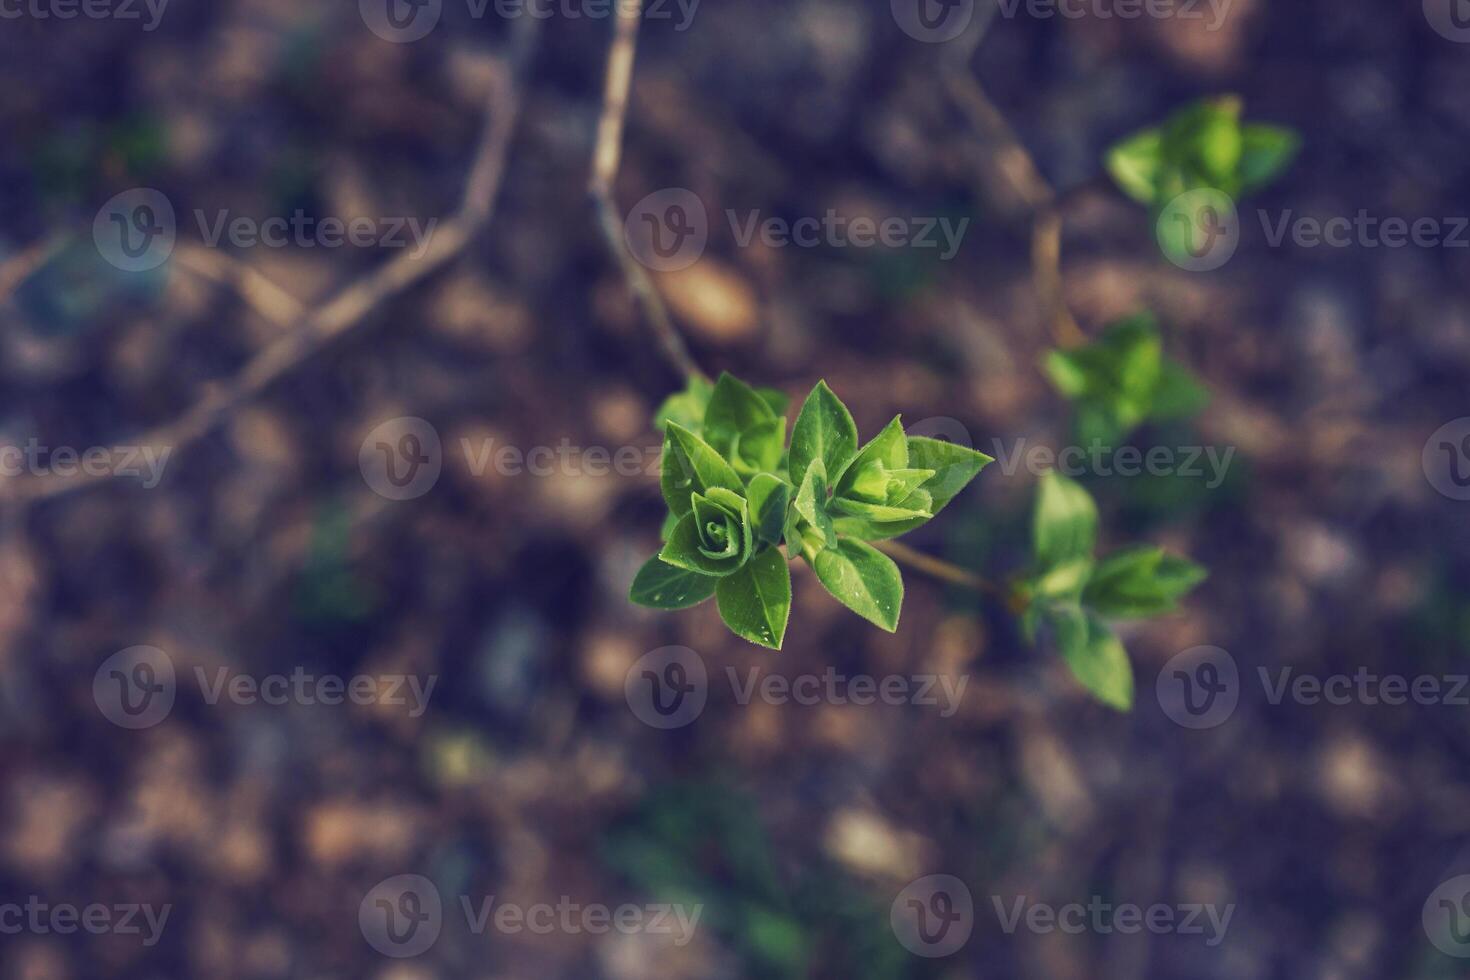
(1202, 146)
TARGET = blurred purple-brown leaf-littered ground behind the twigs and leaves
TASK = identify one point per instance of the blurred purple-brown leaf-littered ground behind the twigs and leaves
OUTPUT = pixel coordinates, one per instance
(273, 541)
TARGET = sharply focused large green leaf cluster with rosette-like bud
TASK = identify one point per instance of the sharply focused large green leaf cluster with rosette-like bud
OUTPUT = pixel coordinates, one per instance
(739, 494)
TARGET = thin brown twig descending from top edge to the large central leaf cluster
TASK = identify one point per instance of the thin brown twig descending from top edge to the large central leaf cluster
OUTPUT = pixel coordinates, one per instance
(606, 158)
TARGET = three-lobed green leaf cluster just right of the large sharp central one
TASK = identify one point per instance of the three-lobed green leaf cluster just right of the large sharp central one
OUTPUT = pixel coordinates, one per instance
(1074, 596)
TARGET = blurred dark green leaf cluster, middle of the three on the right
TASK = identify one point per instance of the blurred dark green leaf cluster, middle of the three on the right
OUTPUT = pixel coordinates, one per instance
(1122, 380)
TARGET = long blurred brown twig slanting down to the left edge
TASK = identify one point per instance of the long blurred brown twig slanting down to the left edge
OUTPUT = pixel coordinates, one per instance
(351, 306)
